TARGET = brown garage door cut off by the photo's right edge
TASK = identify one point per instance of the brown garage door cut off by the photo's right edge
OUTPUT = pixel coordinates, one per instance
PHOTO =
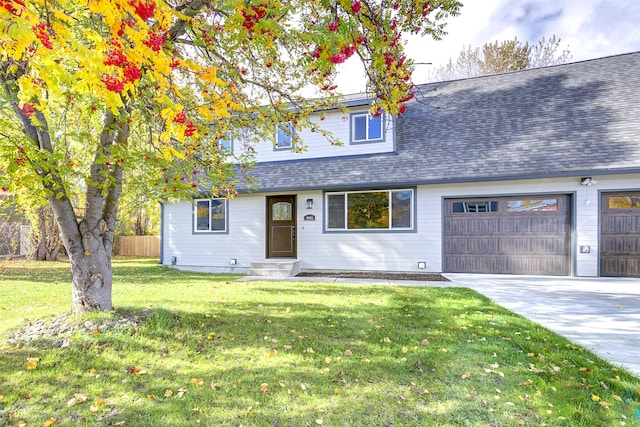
(620, 234)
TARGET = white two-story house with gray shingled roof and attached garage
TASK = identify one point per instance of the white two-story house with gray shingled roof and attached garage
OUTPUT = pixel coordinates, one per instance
(531, 172)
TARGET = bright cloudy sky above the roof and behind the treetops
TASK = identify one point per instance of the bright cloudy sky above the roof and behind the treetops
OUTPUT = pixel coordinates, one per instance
(587, 28)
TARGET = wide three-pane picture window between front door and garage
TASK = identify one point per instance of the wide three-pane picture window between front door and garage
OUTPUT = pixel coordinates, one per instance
(370, 210)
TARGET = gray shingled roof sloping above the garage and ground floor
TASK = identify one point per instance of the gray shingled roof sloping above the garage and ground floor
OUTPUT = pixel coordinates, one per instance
(572, 119)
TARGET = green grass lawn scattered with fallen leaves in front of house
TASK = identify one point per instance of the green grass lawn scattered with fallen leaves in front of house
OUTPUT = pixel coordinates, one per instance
(214, 351)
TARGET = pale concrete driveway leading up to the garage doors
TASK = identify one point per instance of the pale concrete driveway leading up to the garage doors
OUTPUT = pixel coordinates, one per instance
(600, 314)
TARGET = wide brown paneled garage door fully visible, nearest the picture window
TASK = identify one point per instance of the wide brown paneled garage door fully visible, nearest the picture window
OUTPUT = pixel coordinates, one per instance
(510, 235)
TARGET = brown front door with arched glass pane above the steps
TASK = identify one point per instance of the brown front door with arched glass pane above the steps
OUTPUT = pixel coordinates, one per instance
(281, 227)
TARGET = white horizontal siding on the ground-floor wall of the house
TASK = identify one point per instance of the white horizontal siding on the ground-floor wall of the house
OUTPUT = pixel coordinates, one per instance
(321, 250)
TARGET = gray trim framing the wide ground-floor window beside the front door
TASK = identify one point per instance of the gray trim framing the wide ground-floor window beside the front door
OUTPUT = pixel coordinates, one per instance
(390, 229)
